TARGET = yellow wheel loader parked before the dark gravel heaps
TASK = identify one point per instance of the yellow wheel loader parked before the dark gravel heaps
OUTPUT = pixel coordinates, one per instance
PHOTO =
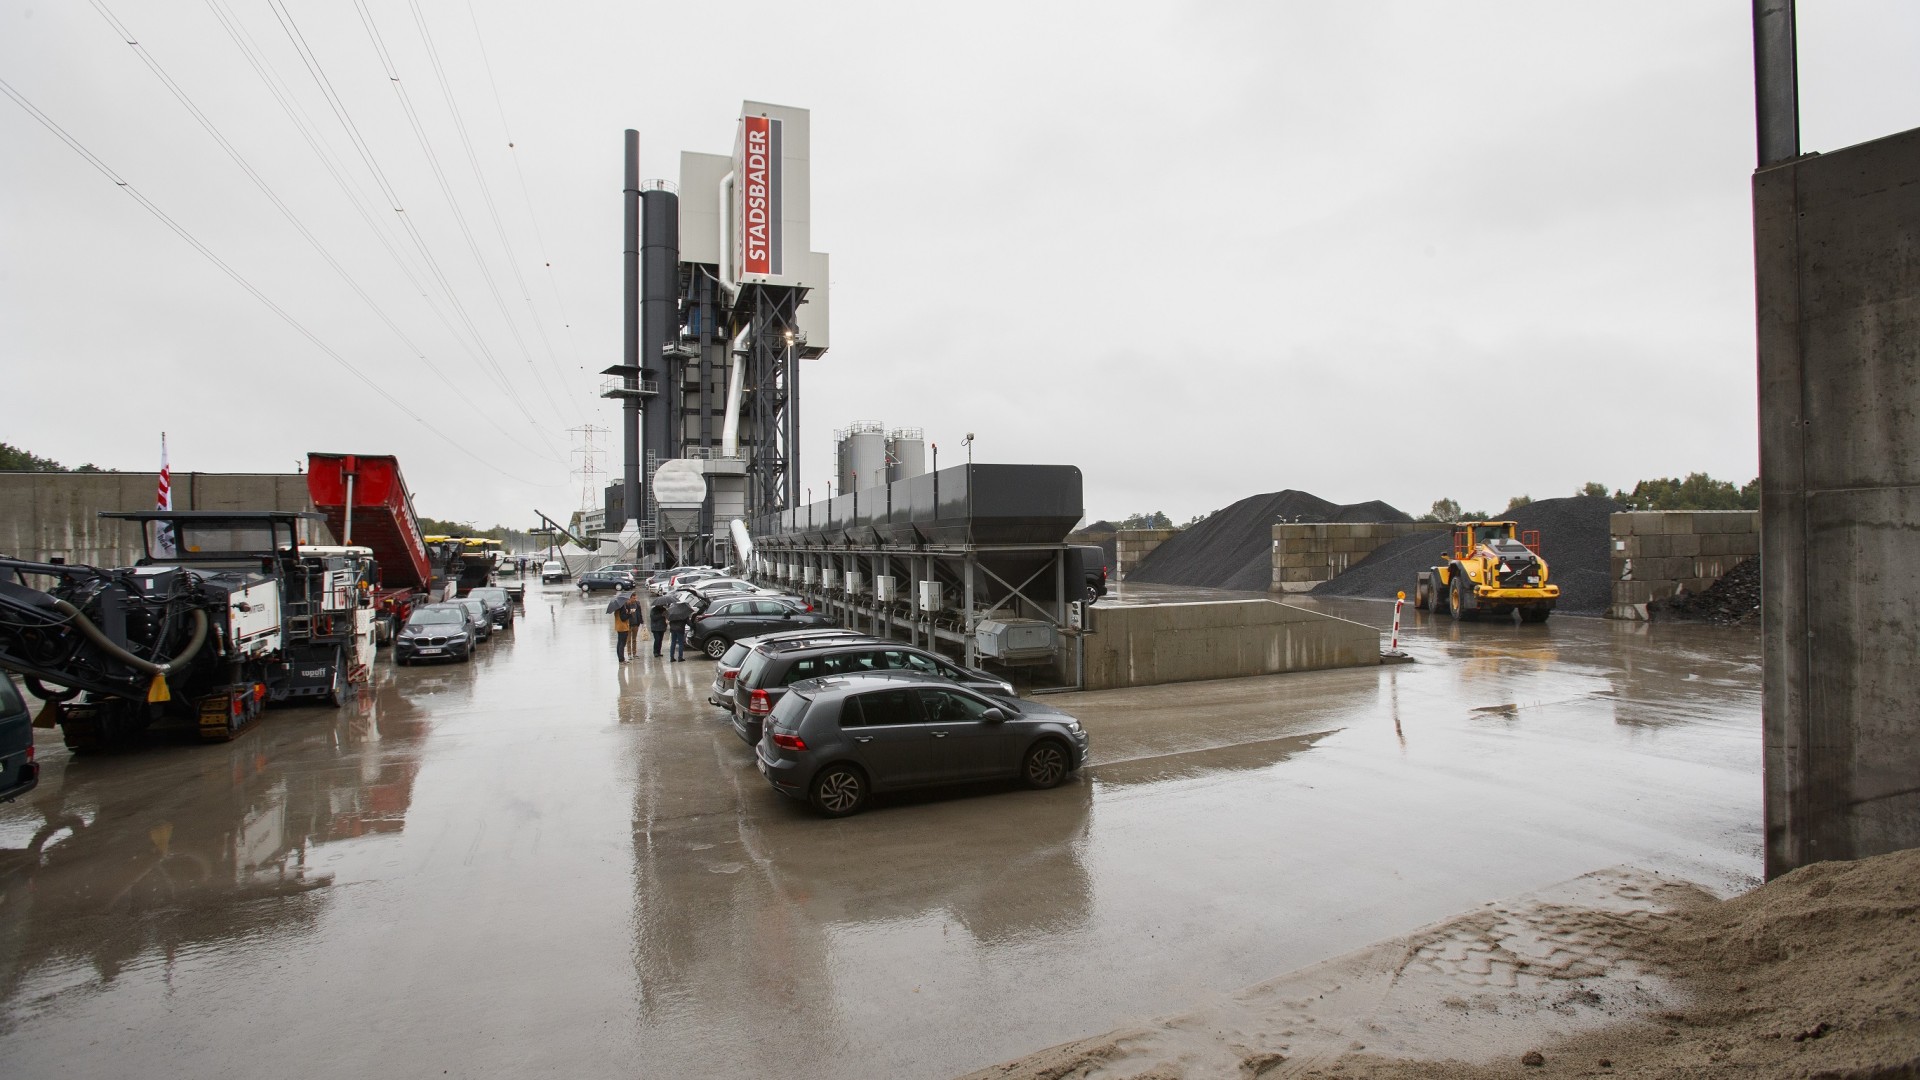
(1495, 570)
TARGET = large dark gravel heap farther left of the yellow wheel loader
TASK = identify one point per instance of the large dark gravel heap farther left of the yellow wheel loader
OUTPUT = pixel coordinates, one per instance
(1234, 549)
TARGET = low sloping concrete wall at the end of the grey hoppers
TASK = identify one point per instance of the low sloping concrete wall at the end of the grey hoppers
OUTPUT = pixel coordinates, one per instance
(1232, 639)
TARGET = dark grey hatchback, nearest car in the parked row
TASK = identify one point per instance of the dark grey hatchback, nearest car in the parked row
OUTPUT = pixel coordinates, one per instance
(836, 741)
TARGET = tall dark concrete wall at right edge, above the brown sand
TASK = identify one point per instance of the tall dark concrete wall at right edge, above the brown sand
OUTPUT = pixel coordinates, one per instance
(1838, 301)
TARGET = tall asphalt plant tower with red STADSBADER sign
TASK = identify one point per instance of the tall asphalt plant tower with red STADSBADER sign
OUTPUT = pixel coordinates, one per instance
(731, 303)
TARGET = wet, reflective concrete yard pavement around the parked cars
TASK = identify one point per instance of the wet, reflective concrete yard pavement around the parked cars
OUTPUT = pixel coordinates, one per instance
(548, 864)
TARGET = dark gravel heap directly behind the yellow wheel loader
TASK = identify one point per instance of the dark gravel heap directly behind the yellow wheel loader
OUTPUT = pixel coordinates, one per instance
(1575, 541)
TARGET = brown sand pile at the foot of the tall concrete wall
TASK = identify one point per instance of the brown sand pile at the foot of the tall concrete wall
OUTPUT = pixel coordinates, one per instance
(1815, 975)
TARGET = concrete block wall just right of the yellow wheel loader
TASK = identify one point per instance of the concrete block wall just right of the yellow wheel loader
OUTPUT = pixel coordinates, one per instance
(1658, 552)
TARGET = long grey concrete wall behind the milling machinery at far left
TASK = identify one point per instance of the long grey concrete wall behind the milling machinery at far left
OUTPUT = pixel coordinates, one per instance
(59, 514)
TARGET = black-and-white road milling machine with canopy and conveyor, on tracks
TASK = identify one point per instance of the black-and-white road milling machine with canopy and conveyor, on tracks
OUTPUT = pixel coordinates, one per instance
(226, 614)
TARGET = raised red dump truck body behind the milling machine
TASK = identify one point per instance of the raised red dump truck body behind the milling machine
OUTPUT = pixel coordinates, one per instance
(383, 520)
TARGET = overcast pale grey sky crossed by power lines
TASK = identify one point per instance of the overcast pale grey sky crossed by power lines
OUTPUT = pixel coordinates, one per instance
(1199, 251)
